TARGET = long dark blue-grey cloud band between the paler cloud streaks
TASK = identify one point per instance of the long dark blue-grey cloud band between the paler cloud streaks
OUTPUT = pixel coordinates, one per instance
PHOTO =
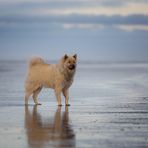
(80, 19)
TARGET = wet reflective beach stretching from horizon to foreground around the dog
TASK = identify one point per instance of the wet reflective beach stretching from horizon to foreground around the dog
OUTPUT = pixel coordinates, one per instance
(109, 108)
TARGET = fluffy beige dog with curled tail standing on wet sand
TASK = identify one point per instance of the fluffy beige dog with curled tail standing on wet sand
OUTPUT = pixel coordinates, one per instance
(57, 76)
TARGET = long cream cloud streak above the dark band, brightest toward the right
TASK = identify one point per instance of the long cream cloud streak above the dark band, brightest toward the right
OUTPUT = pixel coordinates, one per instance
(125, 10)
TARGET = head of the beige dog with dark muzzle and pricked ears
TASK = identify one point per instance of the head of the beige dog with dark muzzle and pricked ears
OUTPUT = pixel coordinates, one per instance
(70, 62)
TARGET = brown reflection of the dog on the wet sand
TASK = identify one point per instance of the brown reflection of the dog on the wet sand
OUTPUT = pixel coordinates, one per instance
(55, 131)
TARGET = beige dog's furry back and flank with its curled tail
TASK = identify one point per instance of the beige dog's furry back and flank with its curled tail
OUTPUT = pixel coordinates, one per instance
(40, 74)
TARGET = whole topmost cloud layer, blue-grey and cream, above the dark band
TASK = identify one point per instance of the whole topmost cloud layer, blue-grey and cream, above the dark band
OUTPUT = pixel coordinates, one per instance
(68, 7)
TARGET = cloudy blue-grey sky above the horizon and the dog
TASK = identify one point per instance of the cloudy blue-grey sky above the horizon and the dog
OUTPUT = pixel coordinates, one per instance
(101, 30)
